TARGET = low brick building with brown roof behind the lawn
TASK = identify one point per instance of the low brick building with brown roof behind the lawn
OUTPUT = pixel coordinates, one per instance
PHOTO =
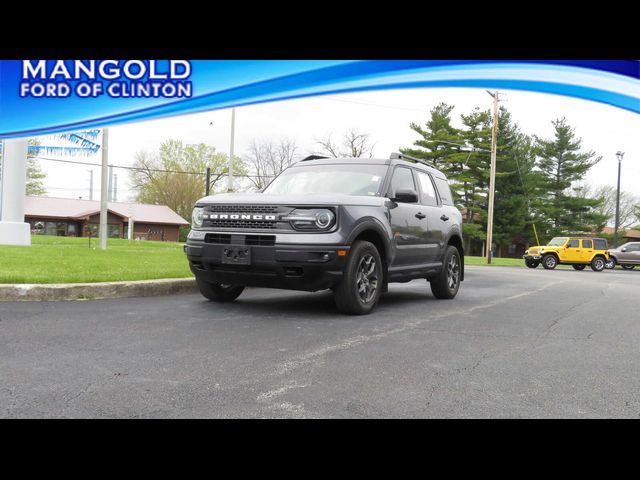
(79, 218)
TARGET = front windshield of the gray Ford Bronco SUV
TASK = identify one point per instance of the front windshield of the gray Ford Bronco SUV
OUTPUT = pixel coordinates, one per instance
(355, 179)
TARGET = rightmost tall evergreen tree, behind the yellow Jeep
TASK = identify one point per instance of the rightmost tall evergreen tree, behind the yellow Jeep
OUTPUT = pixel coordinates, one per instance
(562, 162)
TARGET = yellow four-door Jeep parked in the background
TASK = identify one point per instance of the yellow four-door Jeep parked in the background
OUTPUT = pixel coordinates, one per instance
(578, 252)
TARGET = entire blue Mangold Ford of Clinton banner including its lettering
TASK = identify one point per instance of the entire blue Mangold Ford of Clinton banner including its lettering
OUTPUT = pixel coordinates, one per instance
(42, 97)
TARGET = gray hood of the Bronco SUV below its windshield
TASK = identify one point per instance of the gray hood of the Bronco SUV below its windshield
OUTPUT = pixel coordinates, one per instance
(292, 200)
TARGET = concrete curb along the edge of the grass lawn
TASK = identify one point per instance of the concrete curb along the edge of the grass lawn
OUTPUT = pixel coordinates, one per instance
(92, 291)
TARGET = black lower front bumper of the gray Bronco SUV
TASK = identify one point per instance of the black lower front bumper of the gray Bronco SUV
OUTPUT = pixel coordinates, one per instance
(292, 267)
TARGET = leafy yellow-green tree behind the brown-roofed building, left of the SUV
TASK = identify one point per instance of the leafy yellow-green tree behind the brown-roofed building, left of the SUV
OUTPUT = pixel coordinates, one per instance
(175, 176)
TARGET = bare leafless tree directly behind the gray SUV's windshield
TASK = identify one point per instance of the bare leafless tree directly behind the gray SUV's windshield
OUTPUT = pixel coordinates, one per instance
(267, 159)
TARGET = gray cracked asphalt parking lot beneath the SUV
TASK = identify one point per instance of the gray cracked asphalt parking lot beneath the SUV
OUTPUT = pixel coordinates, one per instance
(514, 343)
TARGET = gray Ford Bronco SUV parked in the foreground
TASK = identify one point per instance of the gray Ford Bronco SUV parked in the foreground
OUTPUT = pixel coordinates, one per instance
(351, 225)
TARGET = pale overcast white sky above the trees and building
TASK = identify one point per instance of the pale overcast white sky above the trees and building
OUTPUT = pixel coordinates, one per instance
(385, 115)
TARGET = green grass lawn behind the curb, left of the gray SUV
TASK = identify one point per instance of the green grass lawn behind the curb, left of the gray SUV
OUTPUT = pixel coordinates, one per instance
(71, 260)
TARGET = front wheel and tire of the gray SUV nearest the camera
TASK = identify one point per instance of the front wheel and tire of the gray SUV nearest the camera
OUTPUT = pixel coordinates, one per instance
(359, 291)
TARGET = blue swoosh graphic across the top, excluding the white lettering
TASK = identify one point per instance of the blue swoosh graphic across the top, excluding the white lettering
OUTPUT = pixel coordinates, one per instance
(223, 84)
